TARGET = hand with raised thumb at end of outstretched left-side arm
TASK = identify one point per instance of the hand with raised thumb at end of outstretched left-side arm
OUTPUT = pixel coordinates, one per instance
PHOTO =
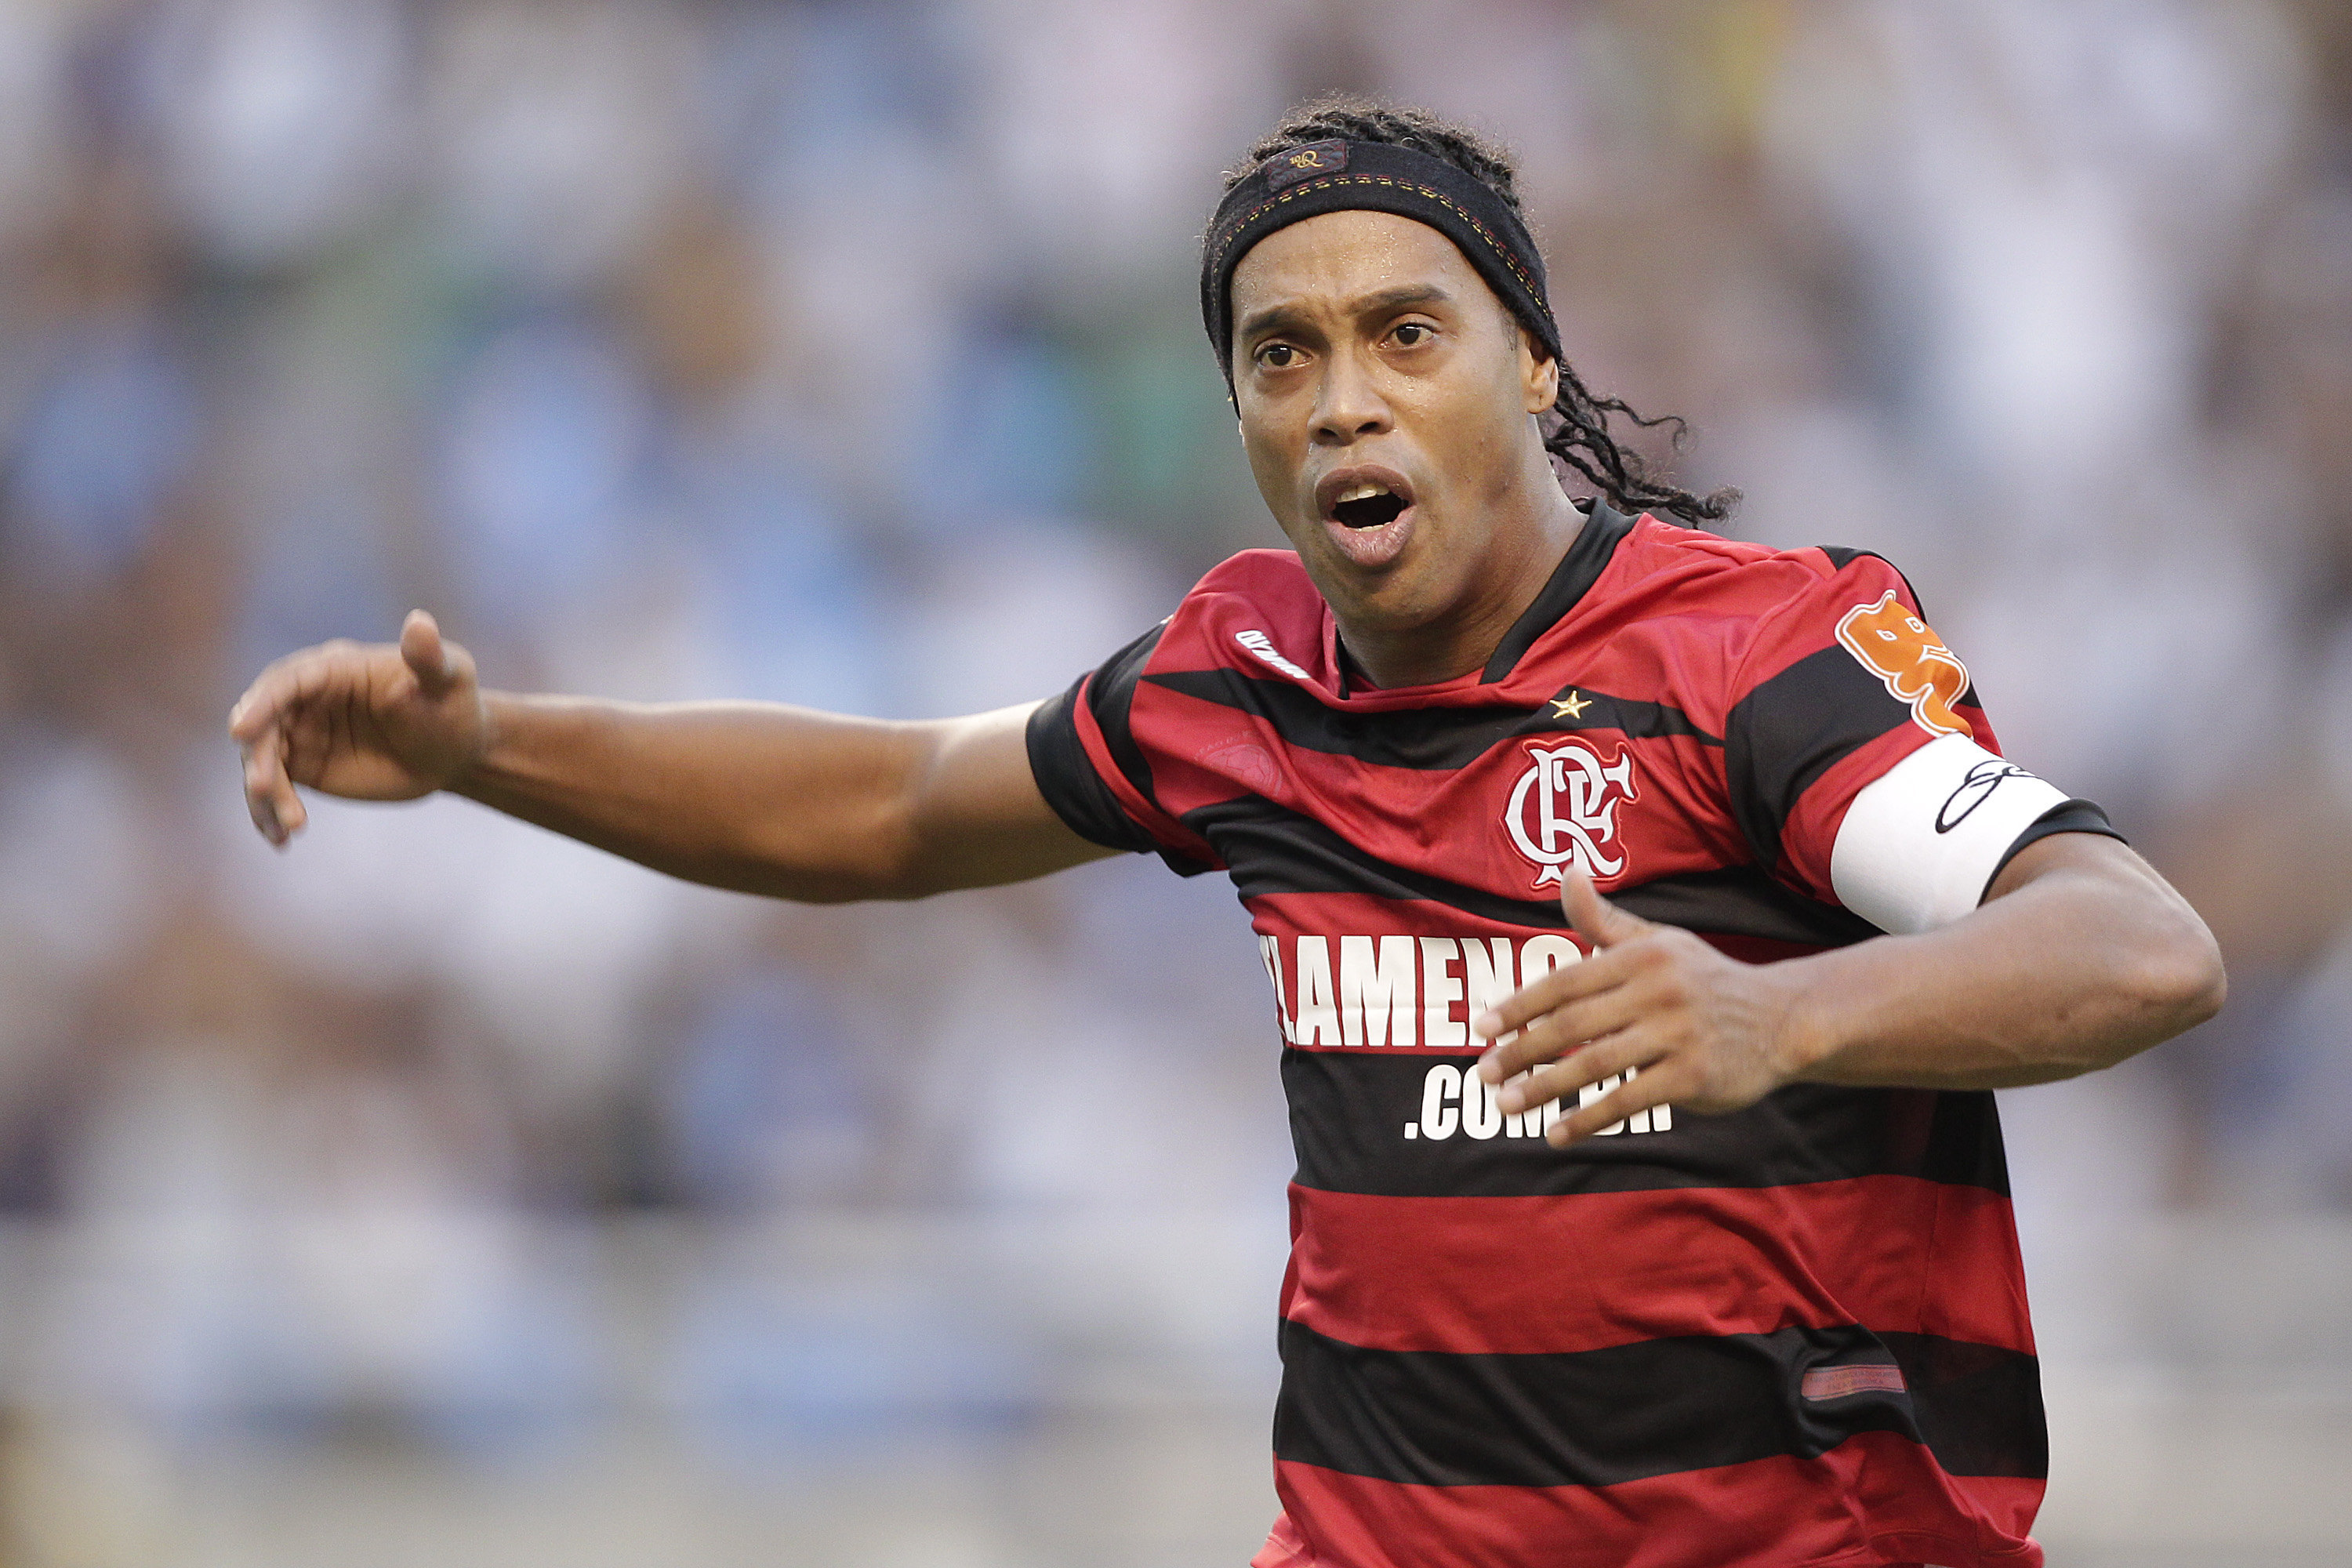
(359, 721)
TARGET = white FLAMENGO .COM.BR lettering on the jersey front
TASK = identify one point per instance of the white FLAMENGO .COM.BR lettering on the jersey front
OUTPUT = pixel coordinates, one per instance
(1422, 993)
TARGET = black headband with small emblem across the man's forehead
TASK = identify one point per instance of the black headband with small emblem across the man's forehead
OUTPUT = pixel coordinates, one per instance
(1375, 177)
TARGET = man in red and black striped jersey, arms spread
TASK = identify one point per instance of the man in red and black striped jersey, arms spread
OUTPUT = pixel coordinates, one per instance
(1657, 1228)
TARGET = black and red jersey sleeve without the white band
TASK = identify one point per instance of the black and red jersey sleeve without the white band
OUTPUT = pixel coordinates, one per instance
(1095, 775)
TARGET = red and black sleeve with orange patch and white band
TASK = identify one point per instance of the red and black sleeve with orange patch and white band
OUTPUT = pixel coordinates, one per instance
(1859, 760)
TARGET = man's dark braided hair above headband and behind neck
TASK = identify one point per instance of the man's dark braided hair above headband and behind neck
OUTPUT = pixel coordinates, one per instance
(1577, 429)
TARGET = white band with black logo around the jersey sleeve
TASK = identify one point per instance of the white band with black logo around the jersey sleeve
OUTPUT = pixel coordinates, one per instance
(1925, 838)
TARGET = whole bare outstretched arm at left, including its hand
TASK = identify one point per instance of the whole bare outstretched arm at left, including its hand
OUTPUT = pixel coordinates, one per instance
(756, 798)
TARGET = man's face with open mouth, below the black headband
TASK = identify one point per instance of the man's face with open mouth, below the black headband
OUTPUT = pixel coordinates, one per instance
(1389, 413)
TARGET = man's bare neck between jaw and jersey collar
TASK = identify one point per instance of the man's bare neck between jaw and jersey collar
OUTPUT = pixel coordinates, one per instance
(1521, 561)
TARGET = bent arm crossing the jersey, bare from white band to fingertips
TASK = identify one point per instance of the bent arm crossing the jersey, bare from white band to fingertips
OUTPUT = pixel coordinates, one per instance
(2078, 958)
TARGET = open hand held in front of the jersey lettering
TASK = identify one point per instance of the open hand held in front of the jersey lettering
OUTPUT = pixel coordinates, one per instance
(1704, 1031)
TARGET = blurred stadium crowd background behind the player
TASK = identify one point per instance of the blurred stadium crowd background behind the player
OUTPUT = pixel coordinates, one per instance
(450, 1193)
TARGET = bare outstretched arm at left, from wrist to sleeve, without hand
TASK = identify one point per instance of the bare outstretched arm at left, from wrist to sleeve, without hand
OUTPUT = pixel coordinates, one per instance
(780, 800)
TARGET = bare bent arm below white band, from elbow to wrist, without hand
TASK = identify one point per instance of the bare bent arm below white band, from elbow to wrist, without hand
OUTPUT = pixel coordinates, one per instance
(2080, 958)
